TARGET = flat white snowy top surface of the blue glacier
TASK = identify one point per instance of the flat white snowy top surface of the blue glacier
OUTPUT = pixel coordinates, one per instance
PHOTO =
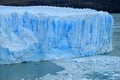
(48, 10)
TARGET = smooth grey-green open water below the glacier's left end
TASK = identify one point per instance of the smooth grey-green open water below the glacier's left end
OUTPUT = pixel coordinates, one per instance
(28, 71)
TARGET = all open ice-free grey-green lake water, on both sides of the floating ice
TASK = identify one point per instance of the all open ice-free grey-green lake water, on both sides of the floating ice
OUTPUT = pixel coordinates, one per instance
(29, 71)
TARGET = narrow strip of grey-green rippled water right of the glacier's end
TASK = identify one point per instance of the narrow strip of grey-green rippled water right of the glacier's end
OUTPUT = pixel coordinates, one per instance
(116, 36)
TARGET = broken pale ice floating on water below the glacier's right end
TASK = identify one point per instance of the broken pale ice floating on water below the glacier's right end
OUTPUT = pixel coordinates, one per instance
(89, 68)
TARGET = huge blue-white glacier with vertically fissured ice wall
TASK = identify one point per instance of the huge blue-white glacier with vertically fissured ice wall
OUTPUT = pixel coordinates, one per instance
(44, 33)
